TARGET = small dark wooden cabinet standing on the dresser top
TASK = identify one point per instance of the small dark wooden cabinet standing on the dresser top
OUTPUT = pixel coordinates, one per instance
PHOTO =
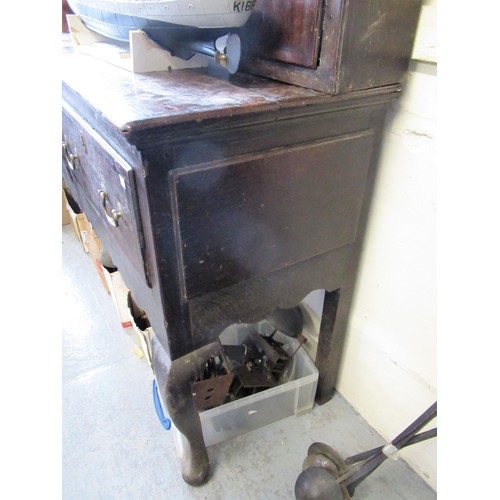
(361, 44)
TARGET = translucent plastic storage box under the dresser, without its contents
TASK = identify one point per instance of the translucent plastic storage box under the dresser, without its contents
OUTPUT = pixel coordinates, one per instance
(247, 414)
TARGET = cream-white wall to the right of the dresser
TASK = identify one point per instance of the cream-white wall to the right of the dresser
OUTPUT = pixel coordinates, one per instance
(389, 368)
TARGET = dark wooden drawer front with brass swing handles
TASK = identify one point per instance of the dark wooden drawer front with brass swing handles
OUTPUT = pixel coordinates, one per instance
(107, 191)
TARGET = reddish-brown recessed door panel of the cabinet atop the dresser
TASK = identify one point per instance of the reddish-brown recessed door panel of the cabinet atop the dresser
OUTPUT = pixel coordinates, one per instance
(285, 31)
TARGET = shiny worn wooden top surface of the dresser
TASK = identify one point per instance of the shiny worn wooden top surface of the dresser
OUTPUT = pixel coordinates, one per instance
(133, 102)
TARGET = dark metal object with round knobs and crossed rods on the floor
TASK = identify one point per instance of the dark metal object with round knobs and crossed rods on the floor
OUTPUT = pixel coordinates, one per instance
(326, 475)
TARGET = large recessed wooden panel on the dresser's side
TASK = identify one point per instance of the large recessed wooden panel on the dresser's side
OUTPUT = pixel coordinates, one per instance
(245, 218)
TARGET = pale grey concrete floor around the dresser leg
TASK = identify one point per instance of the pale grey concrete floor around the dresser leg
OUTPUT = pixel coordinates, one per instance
(115, 447)
